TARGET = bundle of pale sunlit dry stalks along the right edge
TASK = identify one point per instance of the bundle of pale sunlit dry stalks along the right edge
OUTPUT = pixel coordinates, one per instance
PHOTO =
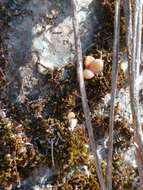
(133, 43)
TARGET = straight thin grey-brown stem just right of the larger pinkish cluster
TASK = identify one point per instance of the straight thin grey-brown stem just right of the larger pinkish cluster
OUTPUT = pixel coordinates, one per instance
(113, 92)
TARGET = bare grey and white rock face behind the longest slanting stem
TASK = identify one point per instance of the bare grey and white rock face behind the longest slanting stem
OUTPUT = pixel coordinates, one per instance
(40, 36)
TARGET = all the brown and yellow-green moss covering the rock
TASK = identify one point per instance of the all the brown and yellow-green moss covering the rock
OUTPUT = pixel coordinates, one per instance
(37, 133)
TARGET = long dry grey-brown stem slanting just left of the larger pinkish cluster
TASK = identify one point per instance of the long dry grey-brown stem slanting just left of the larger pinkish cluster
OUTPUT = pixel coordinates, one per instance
(84, 96)
